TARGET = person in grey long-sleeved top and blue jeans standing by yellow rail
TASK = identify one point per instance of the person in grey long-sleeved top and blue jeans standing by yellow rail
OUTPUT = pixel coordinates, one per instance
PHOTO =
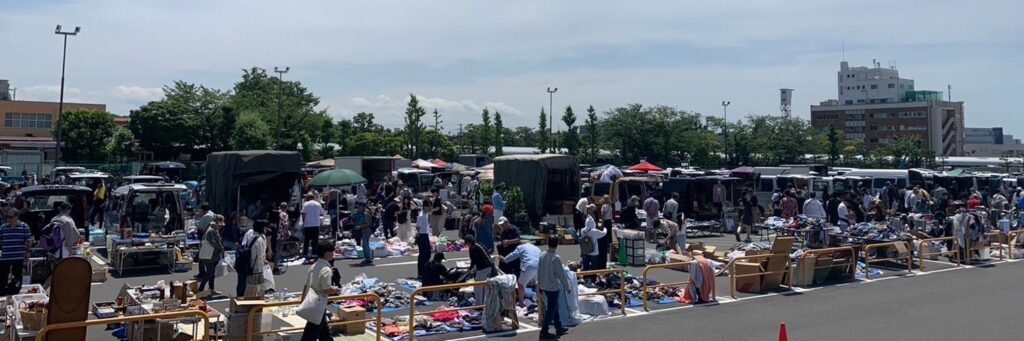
(551, 280)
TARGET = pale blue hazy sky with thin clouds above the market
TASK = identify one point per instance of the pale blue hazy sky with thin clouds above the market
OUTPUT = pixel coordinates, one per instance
(464, 56)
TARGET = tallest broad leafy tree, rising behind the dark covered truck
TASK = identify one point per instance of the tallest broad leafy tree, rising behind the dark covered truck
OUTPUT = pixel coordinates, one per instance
(287, 107)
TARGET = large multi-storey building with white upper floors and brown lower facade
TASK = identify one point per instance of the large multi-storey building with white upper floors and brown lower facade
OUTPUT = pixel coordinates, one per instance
(877, 106)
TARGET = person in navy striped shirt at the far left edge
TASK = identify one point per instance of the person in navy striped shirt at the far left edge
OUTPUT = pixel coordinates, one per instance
(15, 239)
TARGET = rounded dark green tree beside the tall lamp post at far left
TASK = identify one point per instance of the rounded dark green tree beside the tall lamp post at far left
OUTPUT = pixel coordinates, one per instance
(86, 135)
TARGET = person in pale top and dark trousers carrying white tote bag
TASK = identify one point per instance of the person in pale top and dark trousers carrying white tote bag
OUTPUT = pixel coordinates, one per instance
(319, 283)
